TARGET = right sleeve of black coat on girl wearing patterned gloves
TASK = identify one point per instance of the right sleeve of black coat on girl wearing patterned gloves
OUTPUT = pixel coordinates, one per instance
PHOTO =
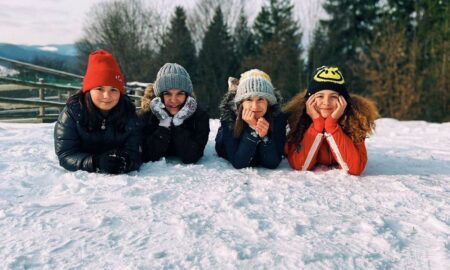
(190, 144)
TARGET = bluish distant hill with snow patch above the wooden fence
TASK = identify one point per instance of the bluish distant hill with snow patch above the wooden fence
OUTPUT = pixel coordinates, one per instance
(62, 57)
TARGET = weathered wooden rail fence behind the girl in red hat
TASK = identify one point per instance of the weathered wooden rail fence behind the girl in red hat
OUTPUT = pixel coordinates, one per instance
(44, 107)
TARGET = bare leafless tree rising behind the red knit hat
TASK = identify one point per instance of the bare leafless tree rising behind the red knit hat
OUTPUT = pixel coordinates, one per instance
(128, 30)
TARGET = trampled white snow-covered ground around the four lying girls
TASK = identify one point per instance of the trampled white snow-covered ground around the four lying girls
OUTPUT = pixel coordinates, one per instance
(211, 216)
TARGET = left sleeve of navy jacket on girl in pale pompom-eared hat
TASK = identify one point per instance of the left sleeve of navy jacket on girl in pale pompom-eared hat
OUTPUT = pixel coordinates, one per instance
(239, 151)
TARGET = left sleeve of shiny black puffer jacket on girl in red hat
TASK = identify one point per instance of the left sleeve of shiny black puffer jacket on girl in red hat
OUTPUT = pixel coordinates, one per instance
(68, 145)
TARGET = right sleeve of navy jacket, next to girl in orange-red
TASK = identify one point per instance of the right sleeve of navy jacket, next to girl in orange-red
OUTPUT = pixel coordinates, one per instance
(271, 151)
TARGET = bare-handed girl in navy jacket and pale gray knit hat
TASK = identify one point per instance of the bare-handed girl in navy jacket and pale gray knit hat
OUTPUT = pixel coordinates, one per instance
(252, 131)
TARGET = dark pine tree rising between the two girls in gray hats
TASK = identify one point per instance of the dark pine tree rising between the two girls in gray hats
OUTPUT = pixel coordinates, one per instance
(216, 63)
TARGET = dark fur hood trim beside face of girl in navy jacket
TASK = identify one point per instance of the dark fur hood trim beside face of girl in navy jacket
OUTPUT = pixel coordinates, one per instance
(228, 108)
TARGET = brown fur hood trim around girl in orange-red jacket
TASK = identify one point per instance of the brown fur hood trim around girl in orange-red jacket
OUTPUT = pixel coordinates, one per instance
(358, 126)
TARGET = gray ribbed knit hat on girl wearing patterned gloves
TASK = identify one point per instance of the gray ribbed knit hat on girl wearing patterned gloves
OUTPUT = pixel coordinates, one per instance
(172, 76)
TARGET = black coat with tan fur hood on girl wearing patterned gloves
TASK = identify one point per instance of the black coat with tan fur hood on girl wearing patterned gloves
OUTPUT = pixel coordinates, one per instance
(186, 141)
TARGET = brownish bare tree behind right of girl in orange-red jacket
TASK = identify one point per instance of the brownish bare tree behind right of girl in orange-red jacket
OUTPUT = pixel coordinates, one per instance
(390, 69)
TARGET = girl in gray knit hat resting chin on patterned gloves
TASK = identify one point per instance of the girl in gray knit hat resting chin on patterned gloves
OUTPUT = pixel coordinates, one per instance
(173, 123)
